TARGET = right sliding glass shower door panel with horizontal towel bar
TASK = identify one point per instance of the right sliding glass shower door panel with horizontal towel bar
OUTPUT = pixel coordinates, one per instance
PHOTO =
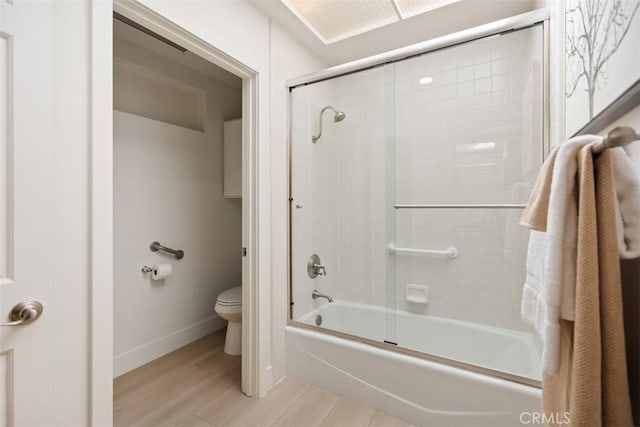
(469, 128)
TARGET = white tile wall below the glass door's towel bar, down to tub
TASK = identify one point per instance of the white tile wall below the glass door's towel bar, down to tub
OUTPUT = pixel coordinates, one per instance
(483, 284)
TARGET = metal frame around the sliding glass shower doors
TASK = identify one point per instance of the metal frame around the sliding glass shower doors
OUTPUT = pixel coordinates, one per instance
(518, 22)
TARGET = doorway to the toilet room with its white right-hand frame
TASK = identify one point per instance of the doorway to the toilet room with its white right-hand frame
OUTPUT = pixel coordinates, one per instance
(184, 136)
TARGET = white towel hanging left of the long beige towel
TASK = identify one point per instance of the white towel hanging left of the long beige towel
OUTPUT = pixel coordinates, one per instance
(549, 290)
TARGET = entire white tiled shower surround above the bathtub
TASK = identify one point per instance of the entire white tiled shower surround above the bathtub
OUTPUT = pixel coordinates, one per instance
(412, 143)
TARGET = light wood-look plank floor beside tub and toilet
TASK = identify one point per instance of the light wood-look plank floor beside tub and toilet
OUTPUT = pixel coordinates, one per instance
(199, 385)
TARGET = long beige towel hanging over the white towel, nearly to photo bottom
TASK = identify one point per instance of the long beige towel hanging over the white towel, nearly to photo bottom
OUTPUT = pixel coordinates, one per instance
(591, 384)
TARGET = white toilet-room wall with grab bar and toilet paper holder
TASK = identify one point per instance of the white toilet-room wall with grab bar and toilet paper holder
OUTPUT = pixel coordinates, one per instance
(168, 187)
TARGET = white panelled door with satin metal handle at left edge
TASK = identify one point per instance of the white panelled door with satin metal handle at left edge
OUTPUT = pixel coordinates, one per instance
(25, 210)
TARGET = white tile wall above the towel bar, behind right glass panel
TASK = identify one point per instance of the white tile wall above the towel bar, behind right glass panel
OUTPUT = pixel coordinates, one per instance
(491, 102)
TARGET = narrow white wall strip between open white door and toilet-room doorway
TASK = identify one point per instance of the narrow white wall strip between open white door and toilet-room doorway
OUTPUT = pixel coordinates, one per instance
(70, 287)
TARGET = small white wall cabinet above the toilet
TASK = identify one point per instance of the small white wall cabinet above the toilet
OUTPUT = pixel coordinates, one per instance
(232, 158)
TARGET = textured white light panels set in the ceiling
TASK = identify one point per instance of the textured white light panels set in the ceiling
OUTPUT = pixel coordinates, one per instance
(335, 20)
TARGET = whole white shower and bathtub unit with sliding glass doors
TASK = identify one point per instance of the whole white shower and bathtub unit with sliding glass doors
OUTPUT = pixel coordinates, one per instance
(406, 262)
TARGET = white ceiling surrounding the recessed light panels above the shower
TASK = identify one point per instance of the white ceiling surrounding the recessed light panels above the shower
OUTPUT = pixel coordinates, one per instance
(450, 17)
